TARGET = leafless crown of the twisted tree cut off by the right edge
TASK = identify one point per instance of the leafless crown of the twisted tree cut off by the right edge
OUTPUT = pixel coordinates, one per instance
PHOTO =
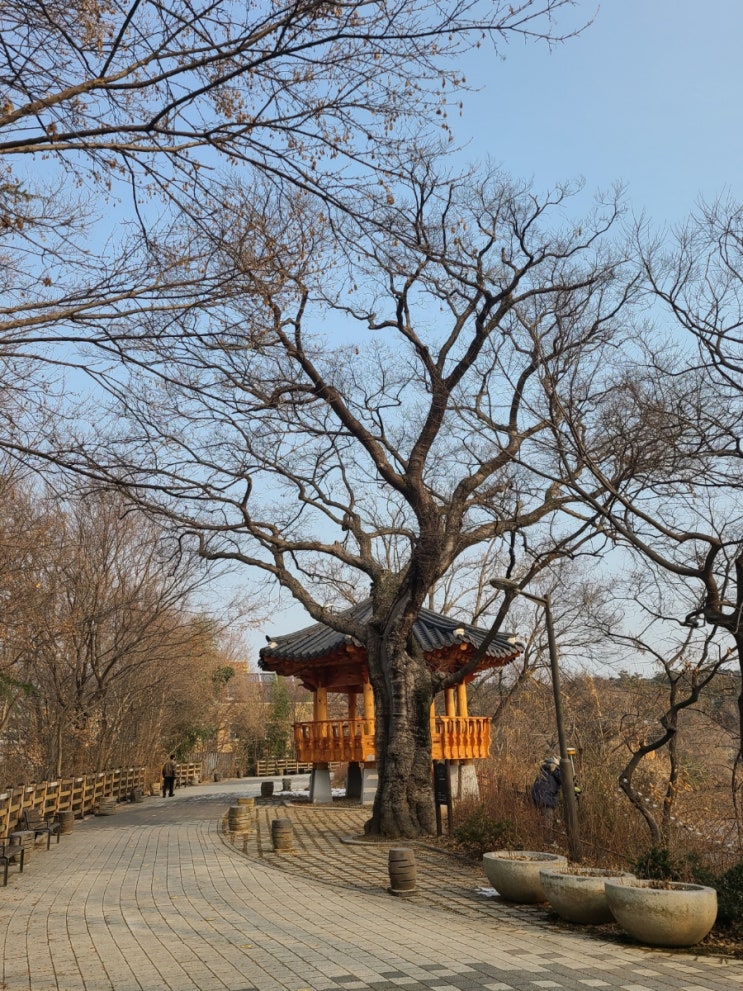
(660, 468)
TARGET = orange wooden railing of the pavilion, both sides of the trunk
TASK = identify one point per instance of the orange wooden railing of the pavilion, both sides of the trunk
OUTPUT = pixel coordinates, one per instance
(338, 740)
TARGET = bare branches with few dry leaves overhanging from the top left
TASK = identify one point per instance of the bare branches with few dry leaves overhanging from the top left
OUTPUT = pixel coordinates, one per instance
(116, 118)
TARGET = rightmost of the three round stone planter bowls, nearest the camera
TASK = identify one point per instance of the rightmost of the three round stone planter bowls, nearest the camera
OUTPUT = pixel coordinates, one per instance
(662, 913)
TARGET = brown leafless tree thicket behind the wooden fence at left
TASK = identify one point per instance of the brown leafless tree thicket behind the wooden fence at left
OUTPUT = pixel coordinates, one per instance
(98, 633)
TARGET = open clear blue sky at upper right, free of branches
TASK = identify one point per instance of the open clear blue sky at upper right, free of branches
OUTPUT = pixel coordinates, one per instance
(649, 94)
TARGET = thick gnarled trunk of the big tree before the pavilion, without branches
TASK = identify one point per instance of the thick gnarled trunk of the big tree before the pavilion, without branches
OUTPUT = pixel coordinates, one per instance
(404, 805)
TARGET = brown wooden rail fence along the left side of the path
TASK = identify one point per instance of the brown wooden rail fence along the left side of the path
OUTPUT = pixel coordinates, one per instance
(81, 794)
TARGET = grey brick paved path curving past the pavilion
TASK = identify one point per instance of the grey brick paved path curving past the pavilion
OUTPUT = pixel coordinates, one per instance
(159, 898)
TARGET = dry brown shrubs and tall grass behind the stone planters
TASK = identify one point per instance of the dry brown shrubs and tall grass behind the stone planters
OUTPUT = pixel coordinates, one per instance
(609, 719)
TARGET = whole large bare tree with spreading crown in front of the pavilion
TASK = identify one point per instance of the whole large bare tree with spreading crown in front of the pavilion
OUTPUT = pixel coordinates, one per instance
(299, 429)
